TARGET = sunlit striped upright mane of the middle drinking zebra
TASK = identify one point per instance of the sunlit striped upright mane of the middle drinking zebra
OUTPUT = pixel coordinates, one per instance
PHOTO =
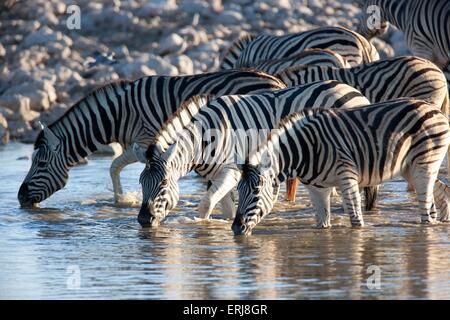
(183, 112)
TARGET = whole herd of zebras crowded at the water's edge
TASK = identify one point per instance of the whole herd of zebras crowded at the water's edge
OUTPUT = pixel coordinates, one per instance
(336, 116)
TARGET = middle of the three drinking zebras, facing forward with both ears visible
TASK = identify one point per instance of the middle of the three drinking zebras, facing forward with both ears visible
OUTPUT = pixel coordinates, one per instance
(211, 138)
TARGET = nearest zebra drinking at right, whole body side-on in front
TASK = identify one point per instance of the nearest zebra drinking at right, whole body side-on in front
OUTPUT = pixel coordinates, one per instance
(349, 149)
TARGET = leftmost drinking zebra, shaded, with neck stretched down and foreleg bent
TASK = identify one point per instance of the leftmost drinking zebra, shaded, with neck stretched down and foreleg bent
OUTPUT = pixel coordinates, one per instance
(126, 112)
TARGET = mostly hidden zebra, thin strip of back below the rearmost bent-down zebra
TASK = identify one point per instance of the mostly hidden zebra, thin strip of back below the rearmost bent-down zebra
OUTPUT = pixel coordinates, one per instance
(320, 57)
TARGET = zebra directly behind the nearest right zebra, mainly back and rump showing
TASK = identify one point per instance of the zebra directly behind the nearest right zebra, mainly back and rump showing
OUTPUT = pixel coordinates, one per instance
(413, 78)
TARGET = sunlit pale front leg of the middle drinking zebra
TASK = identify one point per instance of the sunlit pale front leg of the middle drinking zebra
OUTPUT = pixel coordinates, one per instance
(222, 184)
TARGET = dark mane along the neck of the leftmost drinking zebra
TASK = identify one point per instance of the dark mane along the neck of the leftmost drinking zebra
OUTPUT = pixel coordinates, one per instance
(100, 90)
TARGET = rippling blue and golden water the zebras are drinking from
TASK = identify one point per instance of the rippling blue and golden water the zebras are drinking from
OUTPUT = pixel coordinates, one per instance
(79, 245)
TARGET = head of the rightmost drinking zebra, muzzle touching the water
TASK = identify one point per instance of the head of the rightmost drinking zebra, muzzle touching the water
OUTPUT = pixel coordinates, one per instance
(256, 198)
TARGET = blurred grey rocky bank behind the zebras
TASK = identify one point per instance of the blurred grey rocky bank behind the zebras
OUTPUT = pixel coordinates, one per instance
(45, 67)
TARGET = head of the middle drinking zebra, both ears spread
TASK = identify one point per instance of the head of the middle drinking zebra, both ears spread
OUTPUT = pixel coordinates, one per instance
(159, 184)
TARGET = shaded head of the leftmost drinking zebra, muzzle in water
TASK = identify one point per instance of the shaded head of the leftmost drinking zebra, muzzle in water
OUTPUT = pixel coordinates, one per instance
(49, 172)
